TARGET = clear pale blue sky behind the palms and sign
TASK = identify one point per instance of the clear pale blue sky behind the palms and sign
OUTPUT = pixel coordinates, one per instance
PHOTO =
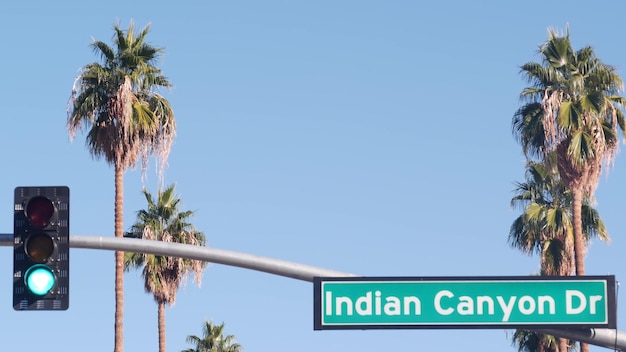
(371, 137)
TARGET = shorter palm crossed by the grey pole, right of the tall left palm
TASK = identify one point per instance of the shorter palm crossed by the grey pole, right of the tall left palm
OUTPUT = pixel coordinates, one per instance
(164, 221)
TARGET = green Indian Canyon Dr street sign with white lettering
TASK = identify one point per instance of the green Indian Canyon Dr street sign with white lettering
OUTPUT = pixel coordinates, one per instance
(470, 302)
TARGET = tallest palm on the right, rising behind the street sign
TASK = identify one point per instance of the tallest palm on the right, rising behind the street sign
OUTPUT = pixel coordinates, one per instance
(572, 108)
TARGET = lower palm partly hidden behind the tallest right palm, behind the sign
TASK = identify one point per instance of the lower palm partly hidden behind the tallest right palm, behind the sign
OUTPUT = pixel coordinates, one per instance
(545, 227)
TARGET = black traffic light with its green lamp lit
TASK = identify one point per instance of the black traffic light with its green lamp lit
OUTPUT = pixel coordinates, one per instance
(41, 247)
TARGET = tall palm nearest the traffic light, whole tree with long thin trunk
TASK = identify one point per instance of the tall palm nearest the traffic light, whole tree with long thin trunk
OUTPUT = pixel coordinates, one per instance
(125, 119)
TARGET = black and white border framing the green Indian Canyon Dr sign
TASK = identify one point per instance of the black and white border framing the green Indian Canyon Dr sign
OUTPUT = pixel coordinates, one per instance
(319, 324)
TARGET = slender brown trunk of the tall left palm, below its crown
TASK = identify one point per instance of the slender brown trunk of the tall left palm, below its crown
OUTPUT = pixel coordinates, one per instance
(119, 260)
